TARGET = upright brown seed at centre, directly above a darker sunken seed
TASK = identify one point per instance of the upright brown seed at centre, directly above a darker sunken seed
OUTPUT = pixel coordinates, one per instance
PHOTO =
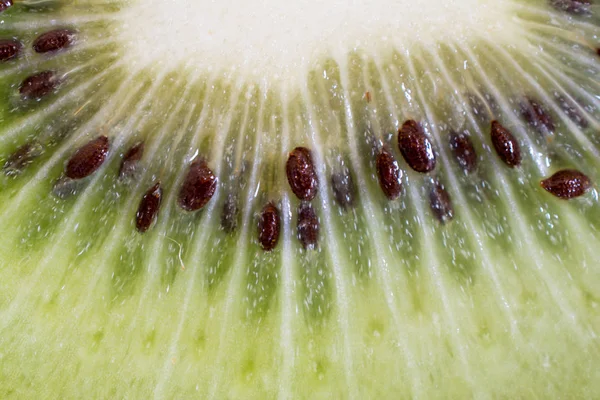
(301, 174)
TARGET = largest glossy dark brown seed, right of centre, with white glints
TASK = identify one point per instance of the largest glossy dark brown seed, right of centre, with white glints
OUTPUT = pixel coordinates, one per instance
(416, 147)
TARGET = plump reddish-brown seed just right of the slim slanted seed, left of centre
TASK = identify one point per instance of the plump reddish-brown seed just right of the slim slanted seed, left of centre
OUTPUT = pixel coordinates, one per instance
(198, 188)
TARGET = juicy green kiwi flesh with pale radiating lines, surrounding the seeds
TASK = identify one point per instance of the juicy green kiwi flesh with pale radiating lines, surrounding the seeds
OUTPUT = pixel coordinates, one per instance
(501, 302)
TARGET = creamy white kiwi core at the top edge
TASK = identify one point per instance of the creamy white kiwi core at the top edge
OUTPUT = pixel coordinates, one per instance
(270, 38)
